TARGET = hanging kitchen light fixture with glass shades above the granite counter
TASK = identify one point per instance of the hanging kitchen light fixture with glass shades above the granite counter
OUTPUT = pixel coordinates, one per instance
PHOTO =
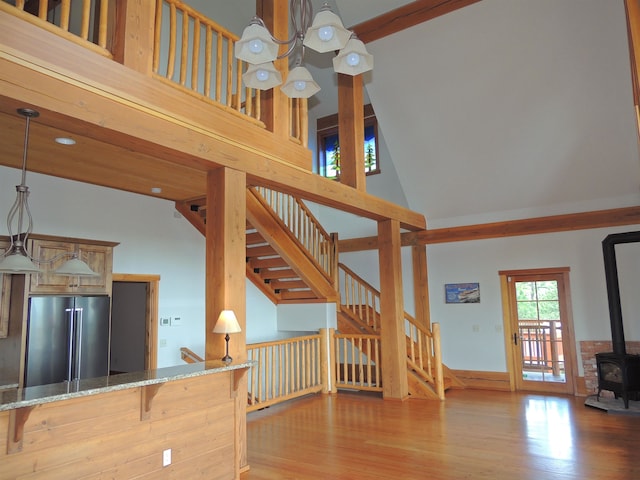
(17, 259)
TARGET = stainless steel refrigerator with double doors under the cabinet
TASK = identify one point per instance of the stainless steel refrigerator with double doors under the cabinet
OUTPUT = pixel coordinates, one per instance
(67, 339)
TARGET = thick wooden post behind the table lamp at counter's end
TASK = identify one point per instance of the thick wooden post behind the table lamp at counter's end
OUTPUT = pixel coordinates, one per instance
(225, 280)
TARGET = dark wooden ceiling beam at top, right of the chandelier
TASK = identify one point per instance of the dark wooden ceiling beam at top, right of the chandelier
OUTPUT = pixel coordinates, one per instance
(406, 16)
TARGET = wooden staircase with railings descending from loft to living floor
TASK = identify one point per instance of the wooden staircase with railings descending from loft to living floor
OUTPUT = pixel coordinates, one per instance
(291, 259)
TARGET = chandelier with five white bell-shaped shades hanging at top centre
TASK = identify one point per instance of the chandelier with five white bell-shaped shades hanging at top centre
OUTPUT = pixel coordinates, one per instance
(259, 48)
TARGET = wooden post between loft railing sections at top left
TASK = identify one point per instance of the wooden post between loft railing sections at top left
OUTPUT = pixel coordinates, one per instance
(133, 36)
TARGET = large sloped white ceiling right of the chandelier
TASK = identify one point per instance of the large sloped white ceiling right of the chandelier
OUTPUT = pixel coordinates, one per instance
(504, 109)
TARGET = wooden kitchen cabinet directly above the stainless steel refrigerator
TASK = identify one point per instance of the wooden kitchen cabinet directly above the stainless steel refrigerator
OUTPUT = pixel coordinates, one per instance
(52, 253)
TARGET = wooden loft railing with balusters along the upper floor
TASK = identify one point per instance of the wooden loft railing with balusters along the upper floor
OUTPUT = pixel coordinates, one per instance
(190, 51)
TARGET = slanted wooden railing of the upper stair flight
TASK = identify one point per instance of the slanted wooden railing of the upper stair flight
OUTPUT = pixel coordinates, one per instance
(303, 225)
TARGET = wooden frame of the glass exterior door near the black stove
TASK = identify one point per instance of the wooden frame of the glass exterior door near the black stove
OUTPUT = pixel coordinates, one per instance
(510, 322)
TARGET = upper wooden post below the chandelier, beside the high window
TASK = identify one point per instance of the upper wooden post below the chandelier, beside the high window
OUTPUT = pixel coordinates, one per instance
(351, 131)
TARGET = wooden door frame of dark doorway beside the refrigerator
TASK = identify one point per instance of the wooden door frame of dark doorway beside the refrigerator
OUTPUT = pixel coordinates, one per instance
(151, 317)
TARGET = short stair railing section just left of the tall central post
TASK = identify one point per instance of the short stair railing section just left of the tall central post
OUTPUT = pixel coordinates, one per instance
(359, 297)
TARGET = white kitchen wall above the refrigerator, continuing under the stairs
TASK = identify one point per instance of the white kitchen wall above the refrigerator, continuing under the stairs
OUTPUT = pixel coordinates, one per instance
(153, 239)
